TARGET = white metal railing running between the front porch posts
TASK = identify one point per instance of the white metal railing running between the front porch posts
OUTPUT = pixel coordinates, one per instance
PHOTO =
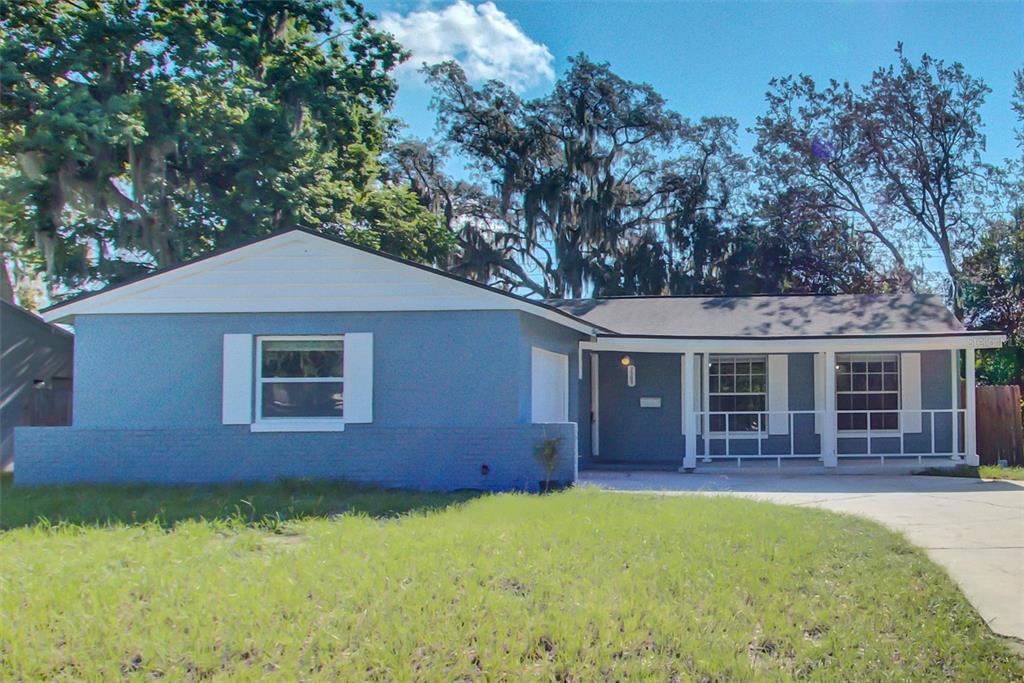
(813, 428)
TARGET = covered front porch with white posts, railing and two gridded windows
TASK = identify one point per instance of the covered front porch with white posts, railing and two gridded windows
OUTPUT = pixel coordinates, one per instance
(800, 406)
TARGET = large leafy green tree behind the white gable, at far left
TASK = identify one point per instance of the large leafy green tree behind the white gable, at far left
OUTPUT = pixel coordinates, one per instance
(145, 134)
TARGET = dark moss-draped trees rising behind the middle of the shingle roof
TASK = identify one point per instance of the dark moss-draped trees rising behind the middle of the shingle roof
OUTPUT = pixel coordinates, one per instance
(600, 188)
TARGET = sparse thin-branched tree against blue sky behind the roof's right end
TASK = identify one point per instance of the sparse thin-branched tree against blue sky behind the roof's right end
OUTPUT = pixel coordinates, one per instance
(901, 159)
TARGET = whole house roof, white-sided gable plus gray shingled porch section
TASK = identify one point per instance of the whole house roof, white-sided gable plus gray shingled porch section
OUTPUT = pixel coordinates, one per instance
(305, 272)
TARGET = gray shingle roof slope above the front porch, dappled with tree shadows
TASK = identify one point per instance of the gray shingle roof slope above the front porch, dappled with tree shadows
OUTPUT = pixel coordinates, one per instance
(786, 316)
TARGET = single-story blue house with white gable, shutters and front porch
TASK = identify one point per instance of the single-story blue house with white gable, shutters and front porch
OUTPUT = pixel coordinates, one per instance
(301, 356)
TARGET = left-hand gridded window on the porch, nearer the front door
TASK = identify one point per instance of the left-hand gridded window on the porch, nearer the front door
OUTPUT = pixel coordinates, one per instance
(738, 385)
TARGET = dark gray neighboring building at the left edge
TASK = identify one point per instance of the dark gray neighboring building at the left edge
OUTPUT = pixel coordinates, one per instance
(35, 375)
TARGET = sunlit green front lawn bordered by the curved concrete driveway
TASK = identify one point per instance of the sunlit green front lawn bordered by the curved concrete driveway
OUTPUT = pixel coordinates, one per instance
(578, 586)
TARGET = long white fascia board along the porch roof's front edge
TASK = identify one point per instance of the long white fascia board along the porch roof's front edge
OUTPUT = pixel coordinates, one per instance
(807, 346)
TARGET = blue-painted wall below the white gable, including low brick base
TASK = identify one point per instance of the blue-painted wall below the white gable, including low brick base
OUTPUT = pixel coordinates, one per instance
(451, 394)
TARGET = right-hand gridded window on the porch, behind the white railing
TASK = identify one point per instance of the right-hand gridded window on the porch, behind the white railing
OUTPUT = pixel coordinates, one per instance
(868, 392)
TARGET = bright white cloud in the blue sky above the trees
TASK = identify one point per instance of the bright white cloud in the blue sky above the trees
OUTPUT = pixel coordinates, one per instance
(482, 38)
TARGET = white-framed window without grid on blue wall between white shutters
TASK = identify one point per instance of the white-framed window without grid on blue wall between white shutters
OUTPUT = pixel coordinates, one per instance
(301, 378)
